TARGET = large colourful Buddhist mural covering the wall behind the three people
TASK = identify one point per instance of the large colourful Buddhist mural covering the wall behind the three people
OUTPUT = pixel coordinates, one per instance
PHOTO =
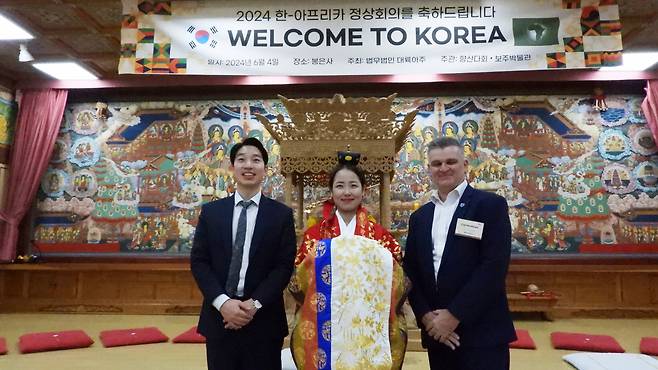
(131, 177)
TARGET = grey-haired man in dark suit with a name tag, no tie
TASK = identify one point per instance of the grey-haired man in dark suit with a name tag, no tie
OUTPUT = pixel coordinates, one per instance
(457, 255)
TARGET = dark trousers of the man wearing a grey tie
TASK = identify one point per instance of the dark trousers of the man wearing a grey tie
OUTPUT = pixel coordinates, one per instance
(237, 351)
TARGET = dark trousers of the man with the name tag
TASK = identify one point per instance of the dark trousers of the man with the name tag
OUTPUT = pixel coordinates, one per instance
(485, 358)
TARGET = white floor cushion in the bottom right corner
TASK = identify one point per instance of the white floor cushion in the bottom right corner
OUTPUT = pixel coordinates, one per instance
(611, 361)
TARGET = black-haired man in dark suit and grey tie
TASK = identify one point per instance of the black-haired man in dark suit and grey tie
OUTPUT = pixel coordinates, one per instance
(242, 259)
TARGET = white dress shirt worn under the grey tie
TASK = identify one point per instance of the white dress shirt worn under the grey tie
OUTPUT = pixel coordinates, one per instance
(252, 212)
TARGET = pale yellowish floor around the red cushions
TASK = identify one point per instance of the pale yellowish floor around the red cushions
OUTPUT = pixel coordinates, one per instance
(167, 356)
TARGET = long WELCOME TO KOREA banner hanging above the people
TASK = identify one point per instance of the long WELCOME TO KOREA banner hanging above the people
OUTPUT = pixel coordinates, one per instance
(349, 38)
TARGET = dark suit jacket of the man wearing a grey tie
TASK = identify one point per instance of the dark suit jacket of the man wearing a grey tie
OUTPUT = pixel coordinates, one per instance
(271, 258)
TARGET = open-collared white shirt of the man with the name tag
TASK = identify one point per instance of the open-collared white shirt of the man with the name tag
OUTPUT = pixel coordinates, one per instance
(443, 213)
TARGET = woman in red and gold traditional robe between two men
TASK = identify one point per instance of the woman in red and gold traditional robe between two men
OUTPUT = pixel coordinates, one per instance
(341, 260)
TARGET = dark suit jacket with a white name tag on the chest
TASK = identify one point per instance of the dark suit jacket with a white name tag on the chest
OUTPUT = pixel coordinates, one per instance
(471, 277)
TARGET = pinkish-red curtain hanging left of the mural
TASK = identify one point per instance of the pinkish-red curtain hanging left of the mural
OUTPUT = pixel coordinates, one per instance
(39, 117)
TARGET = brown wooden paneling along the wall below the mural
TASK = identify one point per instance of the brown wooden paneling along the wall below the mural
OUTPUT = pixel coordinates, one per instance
(159, 288)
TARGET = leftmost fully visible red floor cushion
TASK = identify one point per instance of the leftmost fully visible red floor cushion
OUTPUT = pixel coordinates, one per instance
(53, 341)
